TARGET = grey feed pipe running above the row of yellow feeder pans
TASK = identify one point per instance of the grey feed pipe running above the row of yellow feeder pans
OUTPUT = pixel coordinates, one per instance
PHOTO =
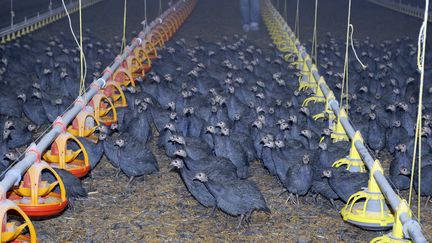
(411, 227)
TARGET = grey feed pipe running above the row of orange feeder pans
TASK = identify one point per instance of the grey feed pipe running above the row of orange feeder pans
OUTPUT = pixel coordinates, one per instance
(34, 151)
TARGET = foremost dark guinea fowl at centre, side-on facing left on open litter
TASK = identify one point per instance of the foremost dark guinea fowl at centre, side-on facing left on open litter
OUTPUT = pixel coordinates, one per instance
(235, 197)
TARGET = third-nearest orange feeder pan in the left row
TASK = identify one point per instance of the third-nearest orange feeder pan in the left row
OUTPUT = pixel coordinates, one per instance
(61, 157)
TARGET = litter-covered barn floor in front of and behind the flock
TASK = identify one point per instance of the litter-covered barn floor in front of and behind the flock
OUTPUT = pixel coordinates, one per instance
(159, 208)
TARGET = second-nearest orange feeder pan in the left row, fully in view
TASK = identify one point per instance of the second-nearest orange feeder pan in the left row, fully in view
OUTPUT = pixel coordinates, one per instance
(36, 197)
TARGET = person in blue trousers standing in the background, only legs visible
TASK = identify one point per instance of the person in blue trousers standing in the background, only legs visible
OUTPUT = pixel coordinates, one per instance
(250, 11)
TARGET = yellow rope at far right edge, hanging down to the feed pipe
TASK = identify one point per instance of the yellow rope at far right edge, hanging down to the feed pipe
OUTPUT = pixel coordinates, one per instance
(421, 46)
